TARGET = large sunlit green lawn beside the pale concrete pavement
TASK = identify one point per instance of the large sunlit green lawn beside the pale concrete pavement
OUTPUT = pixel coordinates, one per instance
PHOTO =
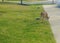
(18, 24)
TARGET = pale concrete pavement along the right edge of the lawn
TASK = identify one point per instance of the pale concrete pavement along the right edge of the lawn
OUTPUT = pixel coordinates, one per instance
(54, 14)
